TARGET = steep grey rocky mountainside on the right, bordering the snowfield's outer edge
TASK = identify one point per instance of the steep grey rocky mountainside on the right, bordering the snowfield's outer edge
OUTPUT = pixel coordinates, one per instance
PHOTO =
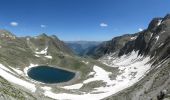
(155, 43)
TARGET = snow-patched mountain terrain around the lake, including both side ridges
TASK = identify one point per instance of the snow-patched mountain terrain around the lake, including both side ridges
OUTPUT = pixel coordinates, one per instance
(128, 67)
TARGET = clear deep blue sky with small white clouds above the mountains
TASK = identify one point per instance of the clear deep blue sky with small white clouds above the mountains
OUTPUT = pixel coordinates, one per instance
(96, 20)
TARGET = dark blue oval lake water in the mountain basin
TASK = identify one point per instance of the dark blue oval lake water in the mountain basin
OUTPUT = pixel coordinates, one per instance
(48, 74)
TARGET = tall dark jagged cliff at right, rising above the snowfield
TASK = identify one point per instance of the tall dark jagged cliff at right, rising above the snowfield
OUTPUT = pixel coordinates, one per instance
(154, 41)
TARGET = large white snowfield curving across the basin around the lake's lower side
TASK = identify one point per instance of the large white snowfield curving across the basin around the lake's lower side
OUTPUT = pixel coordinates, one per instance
(131, 68)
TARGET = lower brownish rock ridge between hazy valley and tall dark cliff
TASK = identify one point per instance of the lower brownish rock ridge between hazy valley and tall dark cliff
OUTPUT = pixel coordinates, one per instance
(111, 46)
